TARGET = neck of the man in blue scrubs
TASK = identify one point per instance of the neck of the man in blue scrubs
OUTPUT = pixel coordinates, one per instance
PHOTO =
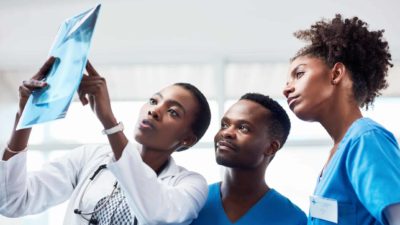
(242, 184)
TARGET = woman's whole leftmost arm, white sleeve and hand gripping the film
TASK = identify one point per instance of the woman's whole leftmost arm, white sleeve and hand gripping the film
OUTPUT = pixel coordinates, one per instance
(24, 193)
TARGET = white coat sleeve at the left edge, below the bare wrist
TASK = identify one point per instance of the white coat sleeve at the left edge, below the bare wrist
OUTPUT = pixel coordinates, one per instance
(24, 193)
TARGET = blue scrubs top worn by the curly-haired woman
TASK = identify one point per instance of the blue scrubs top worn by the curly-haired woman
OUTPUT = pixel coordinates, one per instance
(363, 175)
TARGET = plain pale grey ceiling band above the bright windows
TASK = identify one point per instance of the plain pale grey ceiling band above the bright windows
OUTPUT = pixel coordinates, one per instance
(164, 31)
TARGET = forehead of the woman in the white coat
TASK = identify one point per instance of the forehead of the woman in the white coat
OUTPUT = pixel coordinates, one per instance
(182, 96)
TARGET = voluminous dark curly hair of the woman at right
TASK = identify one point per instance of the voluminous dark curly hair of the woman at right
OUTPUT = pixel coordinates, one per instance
(365, 53)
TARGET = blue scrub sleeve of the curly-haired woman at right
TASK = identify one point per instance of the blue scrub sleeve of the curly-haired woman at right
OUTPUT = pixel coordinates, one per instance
(373, 167)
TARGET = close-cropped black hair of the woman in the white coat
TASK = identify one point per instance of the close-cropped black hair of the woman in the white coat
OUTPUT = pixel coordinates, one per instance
(202, 118)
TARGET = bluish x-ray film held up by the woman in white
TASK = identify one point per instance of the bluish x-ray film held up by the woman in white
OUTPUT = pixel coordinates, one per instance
(71, 47)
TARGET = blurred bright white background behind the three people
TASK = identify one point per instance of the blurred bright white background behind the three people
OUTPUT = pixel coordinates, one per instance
(225, 47)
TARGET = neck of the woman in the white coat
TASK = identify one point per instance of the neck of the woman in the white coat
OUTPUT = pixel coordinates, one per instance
(156, 159)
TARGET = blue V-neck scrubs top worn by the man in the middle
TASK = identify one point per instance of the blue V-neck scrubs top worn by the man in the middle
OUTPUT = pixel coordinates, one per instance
(272, 209)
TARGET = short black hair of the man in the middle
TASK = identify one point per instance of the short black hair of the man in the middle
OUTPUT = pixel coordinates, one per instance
(279, 122)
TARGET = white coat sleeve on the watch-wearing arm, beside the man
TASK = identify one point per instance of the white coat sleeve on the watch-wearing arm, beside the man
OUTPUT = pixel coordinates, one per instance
(154, 201)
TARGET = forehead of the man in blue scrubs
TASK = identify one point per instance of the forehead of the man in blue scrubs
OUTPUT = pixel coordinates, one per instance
(247, 110)
